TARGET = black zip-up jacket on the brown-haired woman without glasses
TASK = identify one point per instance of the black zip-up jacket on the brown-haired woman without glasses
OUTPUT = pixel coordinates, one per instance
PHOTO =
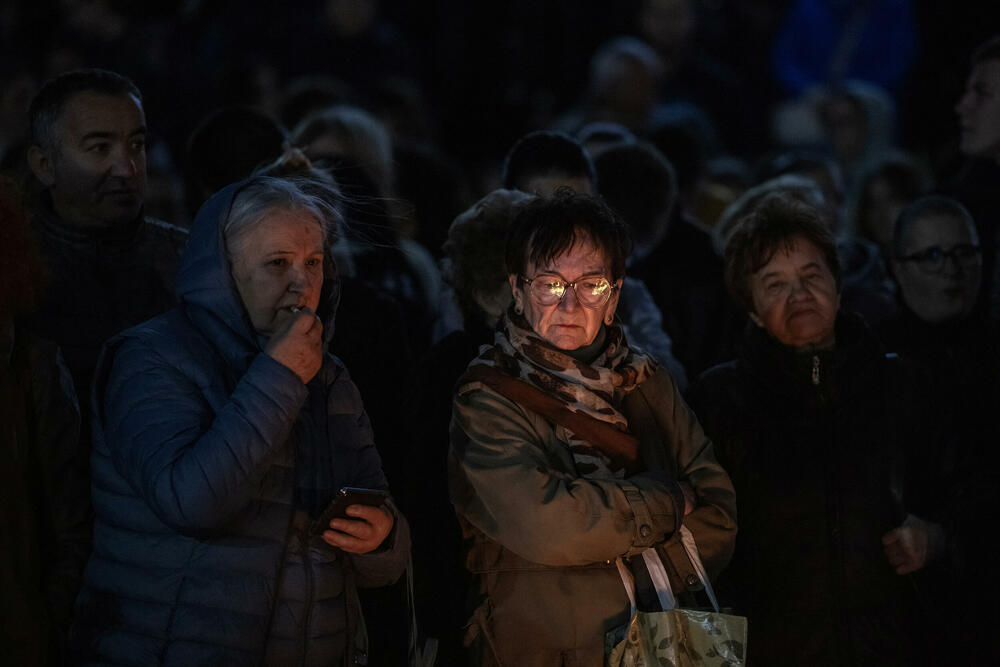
(817, 446)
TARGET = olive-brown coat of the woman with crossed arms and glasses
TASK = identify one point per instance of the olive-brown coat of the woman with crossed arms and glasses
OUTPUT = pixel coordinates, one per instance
(542, 541)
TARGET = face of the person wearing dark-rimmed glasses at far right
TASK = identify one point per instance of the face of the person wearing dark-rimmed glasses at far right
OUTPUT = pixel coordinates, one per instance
(939, 268)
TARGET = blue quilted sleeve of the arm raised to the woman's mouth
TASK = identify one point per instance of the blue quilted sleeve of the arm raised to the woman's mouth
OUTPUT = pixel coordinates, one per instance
(193, 466)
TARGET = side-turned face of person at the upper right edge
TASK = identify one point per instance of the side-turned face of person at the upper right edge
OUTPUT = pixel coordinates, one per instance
(979, 112)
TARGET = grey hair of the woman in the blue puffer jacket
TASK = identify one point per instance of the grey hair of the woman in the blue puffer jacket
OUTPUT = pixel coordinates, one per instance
(262, 194)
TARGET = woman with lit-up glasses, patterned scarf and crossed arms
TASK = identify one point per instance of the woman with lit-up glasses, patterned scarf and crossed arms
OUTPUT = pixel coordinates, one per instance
(569, 449)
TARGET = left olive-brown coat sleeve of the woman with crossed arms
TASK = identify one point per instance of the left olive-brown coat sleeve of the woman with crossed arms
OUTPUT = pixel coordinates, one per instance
(503, 481)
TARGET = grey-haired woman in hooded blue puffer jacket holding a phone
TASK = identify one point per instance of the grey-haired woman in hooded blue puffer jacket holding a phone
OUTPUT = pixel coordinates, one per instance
(221, 430)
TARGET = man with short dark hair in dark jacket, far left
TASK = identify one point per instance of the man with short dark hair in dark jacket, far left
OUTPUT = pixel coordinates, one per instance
(109, 267)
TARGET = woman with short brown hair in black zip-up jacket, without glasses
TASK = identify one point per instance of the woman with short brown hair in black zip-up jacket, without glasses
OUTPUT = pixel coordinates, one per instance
(825, 438)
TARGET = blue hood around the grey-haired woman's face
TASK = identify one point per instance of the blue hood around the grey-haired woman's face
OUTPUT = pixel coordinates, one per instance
(206, 289)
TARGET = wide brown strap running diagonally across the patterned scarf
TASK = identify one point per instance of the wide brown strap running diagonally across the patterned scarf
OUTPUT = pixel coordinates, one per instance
(621, 447)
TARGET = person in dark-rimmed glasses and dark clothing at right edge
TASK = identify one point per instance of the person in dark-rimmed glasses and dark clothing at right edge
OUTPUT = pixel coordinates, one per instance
(938, 265)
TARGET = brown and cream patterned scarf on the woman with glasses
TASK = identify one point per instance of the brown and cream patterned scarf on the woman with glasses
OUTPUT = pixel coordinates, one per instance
(587, 388)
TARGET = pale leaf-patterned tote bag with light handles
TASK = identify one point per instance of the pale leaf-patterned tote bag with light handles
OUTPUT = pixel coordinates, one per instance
(676, 637)
